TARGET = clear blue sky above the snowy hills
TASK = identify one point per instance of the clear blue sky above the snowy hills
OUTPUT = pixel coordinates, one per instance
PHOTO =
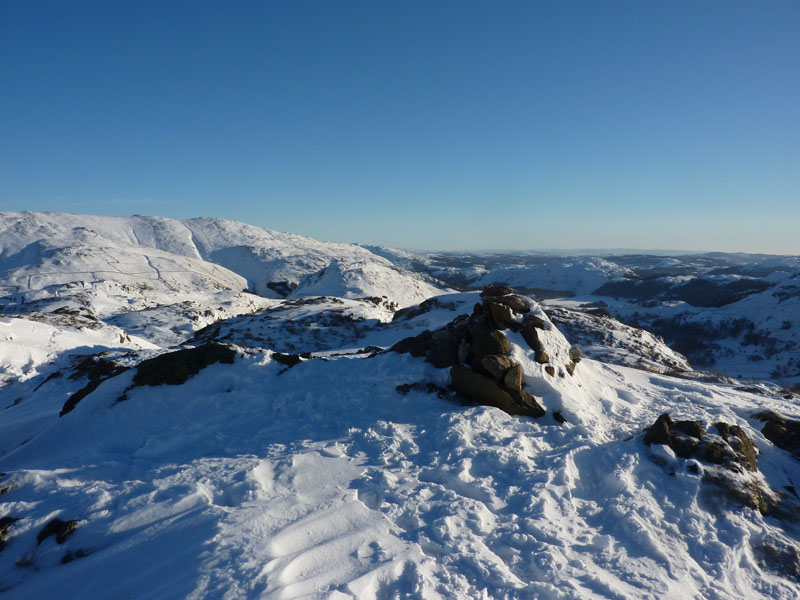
(437, 125)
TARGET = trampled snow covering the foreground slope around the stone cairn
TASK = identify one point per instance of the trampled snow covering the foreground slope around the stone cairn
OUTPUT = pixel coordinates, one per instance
(323, 480)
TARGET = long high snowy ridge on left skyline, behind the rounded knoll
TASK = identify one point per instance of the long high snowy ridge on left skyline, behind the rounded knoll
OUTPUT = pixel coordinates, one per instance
(38, 249)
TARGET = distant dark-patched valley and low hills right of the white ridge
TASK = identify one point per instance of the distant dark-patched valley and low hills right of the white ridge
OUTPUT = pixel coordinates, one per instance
(734, 314)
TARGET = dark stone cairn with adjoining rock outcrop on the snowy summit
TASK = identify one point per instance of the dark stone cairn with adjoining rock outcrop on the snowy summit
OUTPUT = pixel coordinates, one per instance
(477, 351)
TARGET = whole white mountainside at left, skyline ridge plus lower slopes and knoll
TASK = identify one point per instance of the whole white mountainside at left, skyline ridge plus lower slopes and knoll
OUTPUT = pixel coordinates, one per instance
(162, 279)
